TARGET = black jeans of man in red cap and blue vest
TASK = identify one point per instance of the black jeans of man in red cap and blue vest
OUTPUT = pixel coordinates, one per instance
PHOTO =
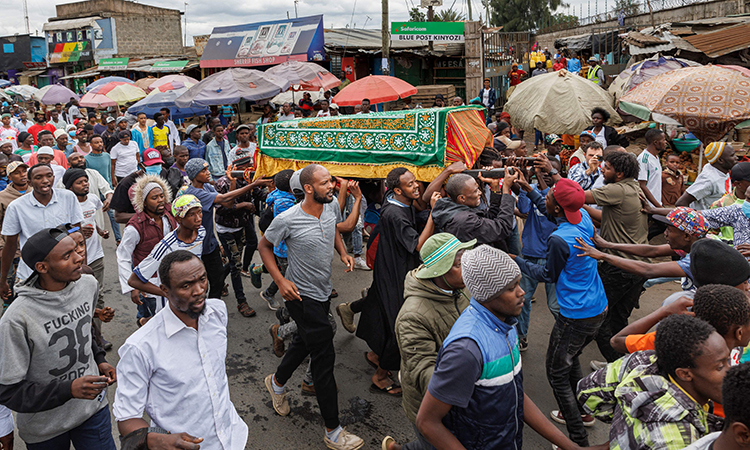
(566, 342)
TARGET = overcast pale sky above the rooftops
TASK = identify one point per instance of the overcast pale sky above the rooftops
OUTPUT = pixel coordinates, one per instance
(203, 15)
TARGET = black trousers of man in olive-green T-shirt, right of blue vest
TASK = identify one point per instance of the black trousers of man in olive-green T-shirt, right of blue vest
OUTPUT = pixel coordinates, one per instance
(623, 290)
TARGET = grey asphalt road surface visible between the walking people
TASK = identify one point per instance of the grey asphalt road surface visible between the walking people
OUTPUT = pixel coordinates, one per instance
(371, 416)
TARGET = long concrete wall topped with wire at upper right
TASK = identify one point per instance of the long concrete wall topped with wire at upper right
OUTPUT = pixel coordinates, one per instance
(695, 11)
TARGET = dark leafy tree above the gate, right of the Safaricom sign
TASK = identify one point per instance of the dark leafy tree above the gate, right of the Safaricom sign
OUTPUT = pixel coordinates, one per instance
(522, 15)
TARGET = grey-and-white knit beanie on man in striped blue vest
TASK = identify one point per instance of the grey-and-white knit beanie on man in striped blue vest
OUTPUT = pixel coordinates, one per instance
(487, 271)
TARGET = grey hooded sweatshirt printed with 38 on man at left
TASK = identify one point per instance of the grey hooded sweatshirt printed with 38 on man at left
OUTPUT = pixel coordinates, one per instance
(45, 344)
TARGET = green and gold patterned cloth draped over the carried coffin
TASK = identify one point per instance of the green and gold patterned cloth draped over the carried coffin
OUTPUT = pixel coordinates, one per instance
(370, 145)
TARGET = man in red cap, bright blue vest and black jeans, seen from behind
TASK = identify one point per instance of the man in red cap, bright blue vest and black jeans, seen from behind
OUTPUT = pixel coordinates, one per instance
(580, 294)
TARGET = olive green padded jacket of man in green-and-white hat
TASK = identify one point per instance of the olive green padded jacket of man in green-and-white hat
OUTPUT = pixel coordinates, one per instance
(424, 321)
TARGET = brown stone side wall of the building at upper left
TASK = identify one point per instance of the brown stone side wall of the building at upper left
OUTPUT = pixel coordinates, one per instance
(139, 35)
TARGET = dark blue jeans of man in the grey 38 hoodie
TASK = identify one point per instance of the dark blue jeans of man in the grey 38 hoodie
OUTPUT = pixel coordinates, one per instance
(93, 434)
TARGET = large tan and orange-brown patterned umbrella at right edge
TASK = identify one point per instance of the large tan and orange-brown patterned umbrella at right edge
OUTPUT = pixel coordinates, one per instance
(708, 100)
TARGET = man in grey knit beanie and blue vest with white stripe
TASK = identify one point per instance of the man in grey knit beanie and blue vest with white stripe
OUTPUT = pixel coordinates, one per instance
(475, 397)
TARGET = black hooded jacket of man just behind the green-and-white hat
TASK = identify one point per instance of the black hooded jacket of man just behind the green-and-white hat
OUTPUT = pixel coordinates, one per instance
(491, 226)
